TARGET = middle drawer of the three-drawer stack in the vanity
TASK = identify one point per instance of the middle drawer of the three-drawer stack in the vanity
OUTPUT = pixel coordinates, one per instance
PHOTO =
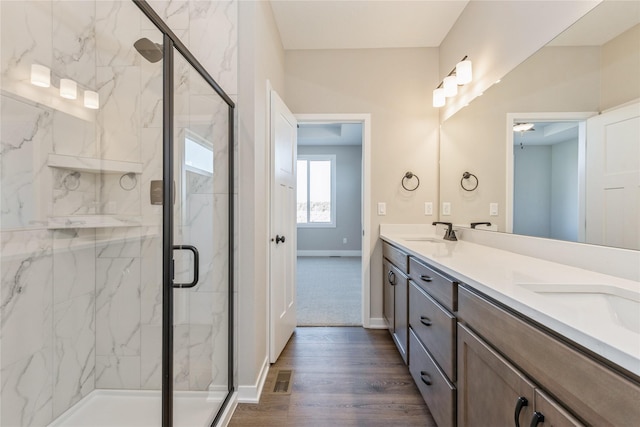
(435, 327)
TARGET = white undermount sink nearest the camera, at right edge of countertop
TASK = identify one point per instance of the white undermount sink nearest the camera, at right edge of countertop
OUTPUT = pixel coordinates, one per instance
(603, 302)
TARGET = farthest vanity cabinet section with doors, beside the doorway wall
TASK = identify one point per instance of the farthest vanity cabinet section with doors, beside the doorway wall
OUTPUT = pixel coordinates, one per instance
(395, 297)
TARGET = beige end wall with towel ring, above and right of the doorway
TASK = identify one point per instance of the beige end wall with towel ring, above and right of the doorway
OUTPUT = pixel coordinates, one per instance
(394, 86)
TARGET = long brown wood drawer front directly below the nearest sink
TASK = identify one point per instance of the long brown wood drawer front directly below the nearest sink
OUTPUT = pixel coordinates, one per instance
(591, 390)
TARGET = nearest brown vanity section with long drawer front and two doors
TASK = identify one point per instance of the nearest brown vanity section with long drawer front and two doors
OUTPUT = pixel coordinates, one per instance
(503, 356)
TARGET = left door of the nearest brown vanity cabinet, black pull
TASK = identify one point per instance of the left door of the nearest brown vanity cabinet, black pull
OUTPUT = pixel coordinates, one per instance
(491, 392)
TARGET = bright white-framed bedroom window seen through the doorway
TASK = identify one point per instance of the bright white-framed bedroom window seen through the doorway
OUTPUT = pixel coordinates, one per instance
(316, 206)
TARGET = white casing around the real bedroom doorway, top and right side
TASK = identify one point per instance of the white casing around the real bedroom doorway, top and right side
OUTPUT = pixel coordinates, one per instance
(367, 251)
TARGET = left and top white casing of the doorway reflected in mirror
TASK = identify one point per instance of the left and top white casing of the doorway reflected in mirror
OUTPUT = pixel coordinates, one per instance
(511, 119)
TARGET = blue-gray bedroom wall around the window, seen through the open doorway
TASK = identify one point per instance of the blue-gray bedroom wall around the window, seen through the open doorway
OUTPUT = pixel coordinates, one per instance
(348, 203)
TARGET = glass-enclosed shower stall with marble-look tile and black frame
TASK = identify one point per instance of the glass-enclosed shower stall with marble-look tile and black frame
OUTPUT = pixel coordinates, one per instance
(116, 221)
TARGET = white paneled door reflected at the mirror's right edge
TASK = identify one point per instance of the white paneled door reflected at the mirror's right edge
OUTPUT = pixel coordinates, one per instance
(613, 181)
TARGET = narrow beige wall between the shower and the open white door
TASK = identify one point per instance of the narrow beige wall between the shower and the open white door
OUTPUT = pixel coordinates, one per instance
(261, 58)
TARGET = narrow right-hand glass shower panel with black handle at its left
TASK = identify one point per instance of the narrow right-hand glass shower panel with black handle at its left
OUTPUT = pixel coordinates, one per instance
(201, 219)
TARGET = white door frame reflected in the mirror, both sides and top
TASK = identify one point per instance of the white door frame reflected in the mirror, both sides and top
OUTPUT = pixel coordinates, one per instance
(513, 118)
